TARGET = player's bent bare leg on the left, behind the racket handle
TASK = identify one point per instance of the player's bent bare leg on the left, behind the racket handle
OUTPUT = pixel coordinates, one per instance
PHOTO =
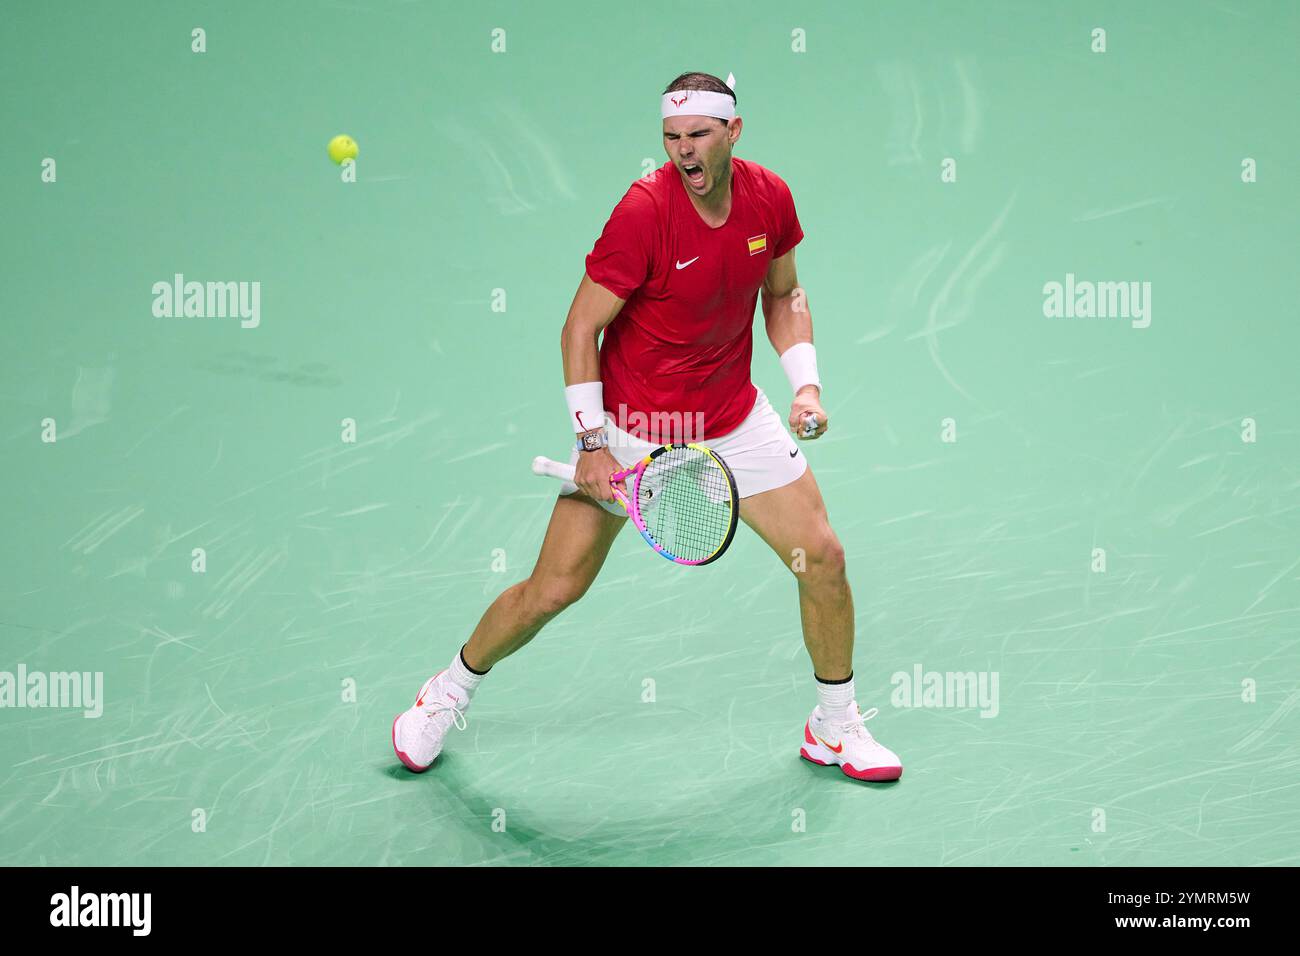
(577, 544)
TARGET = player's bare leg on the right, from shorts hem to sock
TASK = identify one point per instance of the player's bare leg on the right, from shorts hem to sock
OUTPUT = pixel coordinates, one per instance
(794, 517)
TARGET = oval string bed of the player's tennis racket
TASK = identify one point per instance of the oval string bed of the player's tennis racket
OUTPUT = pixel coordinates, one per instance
(686, 501)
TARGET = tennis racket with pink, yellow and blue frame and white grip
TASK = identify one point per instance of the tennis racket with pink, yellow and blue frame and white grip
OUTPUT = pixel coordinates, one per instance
(683, 500)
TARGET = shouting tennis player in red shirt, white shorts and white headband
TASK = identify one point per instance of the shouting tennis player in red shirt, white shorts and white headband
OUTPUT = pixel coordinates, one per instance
(673, 284)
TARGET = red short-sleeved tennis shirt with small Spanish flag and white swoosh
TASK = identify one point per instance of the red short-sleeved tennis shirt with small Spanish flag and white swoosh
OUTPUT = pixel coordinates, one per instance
(683, 343)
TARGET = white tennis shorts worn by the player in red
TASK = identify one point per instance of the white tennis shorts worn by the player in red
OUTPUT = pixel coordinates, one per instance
(761, 453)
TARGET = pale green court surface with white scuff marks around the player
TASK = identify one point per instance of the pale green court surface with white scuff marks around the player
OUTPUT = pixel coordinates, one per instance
(1146, 713)
